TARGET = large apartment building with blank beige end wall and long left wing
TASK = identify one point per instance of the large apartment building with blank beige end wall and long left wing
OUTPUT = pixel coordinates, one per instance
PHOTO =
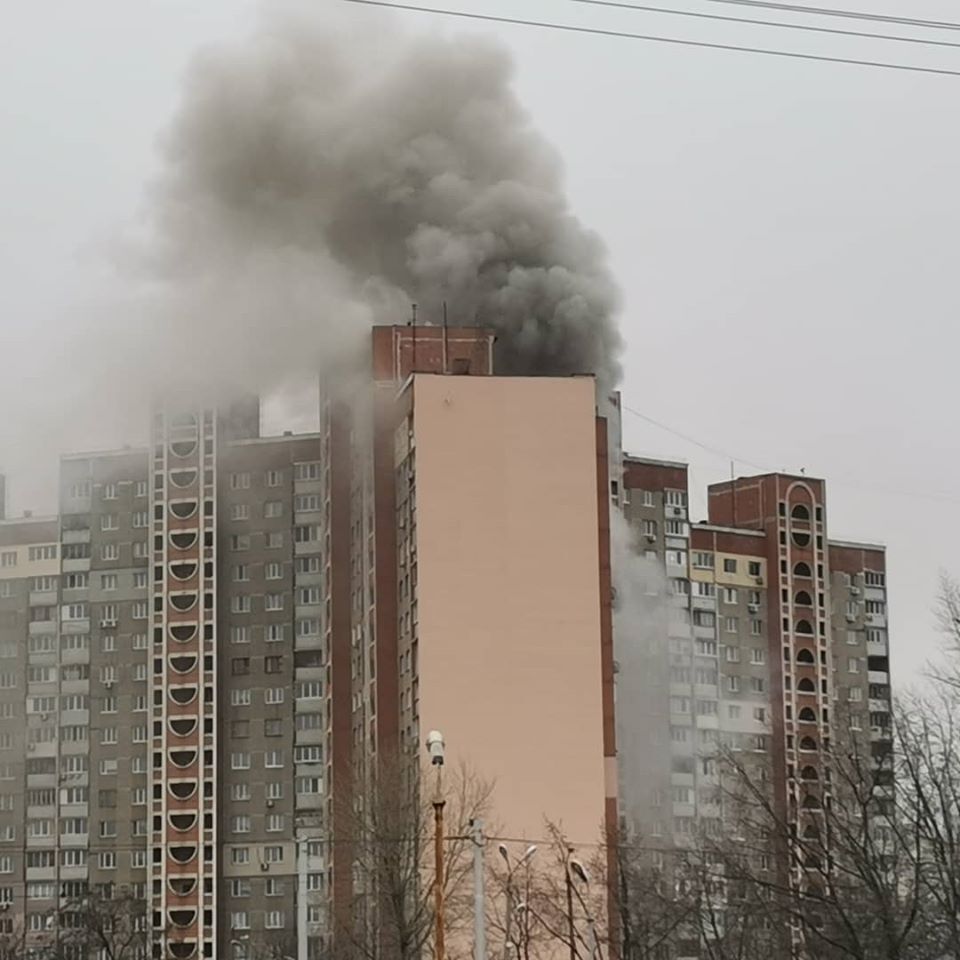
(222, 635)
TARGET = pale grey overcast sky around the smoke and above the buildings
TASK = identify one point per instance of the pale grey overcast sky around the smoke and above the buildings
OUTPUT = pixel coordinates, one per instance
(784, 233)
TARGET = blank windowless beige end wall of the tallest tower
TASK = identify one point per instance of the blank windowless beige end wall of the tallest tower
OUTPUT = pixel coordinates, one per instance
(508, 592)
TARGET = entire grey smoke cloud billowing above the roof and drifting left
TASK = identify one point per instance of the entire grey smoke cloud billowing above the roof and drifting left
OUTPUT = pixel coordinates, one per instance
(316, 179)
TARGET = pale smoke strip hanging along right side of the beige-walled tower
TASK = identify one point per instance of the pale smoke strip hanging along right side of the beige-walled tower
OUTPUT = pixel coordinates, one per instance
(642, 652)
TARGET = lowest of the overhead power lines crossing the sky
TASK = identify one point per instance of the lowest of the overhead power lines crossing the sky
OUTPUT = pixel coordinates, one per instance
(653, 38)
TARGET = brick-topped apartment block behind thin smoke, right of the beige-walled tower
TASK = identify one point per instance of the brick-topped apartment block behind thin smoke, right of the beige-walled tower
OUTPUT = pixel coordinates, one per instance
(765, 637)
